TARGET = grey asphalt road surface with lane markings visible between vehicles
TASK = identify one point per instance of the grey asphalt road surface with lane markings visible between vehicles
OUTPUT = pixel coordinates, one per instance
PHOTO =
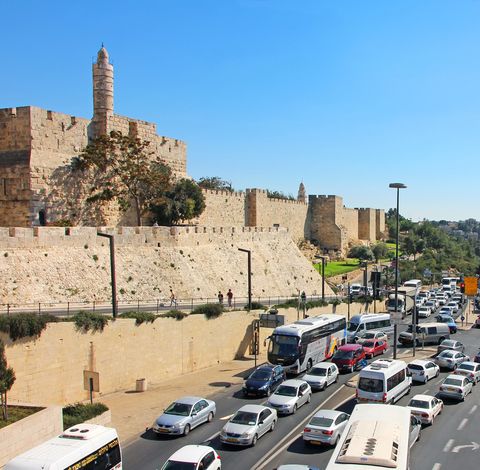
(284, 444)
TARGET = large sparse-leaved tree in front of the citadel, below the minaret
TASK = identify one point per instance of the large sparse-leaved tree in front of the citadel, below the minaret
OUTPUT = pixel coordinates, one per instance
(123, 169)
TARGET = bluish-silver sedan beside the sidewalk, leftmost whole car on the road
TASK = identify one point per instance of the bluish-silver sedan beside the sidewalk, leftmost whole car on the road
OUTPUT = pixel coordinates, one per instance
(183, 415)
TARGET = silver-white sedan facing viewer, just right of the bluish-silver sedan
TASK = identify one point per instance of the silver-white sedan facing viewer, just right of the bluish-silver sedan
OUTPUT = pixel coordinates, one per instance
(248, 424)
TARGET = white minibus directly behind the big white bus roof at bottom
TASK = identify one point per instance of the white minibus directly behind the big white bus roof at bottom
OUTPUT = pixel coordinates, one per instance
(383, 381)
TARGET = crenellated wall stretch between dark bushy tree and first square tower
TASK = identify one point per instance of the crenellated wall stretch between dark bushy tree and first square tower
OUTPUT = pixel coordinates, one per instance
(223, 208)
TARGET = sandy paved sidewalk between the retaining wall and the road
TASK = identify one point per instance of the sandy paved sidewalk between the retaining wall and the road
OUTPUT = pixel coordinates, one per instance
(133, 412)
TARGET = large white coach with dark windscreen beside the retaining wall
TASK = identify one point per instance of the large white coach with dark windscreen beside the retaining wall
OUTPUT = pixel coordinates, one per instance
(300, 345)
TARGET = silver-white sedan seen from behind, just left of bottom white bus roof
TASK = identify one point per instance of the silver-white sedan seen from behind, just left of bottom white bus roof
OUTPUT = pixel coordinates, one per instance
(325, 427)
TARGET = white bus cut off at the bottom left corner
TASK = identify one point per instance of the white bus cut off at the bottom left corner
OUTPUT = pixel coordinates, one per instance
(81, 447)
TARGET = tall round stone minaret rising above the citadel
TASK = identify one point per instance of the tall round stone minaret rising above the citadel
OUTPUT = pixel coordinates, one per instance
(102, 93)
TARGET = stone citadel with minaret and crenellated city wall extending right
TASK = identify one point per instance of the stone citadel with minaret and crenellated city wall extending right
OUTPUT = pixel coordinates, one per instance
(36, 186)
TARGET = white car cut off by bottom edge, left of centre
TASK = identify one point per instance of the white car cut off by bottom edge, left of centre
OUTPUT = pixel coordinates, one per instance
(194, 457)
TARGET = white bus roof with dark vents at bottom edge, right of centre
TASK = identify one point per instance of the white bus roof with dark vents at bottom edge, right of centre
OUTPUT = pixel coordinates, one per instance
(374, 439)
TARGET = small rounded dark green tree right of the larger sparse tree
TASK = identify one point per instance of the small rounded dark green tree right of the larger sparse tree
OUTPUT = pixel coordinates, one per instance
(182, 202)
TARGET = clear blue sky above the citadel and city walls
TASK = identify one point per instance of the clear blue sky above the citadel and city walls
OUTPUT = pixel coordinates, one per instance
(347, 96)
